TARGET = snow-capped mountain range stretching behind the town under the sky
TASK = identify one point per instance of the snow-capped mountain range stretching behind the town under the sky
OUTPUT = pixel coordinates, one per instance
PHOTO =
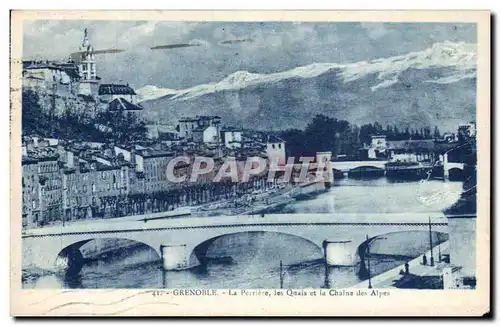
(436, 86)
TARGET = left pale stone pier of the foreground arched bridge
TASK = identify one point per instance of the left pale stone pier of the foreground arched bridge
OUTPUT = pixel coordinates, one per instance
(177, 257)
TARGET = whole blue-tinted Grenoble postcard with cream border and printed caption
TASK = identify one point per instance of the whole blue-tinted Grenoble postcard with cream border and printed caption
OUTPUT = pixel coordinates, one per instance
(250, 163)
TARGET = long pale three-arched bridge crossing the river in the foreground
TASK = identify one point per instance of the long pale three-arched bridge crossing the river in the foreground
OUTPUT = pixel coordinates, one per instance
(182, 242)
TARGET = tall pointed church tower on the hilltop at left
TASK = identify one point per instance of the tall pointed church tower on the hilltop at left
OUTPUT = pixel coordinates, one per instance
(87, 67)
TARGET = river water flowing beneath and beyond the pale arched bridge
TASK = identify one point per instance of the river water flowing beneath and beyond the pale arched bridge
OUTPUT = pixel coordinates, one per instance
(252, 260)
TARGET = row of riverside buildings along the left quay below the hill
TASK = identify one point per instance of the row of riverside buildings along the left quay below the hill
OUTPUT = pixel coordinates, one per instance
(65, 180)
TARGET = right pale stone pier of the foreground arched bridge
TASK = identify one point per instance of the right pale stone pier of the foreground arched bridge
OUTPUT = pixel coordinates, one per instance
(340, 253)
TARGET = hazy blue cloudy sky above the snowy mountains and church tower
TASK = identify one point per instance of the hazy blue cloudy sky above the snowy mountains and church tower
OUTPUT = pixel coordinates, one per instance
(219, 49)
